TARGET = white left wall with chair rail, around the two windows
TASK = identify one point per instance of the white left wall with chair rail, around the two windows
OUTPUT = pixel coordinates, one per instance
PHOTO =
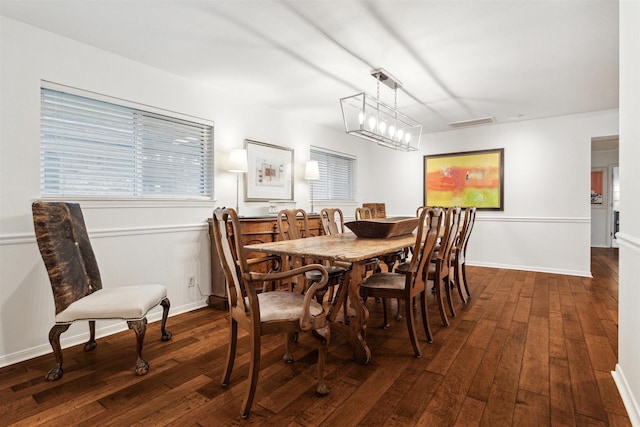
(135, 242)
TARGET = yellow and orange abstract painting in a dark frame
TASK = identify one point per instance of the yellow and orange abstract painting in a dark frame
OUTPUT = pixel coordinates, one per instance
(472, 178)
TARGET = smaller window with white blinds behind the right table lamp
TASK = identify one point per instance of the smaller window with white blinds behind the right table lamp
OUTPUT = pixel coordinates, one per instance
(337, 176)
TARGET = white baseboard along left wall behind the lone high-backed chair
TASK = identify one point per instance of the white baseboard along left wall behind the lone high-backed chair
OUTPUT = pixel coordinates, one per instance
(81, 338)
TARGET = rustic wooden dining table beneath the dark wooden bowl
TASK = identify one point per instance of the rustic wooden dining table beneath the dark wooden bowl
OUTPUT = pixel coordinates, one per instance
(345, 247)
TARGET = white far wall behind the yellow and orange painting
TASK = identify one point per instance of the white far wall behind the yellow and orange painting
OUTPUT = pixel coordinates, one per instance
(545, 225)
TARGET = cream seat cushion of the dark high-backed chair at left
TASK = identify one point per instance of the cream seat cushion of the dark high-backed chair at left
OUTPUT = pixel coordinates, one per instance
(126, 302)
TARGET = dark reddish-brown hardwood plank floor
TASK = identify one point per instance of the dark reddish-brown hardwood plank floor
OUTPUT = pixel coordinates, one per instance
(529, 349)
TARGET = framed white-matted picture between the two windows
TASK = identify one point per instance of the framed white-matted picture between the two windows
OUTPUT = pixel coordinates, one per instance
(270, 172)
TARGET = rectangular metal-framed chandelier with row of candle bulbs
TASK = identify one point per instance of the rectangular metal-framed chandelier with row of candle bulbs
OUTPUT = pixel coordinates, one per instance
(369, 118)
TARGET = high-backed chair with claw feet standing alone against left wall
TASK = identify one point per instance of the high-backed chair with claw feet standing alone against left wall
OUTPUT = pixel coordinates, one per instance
(77, 287)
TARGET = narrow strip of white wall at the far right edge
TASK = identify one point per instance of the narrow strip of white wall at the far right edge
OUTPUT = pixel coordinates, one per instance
(627, 373)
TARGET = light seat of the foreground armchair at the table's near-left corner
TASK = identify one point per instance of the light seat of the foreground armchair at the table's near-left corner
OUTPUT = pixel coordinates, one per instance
(283, 305)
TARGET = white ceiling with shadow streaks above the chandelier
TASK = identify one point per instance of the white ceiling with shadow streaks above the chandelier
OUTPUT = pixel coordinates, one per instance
(458, 60)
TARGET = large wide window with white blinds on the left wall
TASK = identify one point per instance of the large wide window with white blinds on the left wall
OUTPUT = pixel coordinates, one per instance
(94, 148)
